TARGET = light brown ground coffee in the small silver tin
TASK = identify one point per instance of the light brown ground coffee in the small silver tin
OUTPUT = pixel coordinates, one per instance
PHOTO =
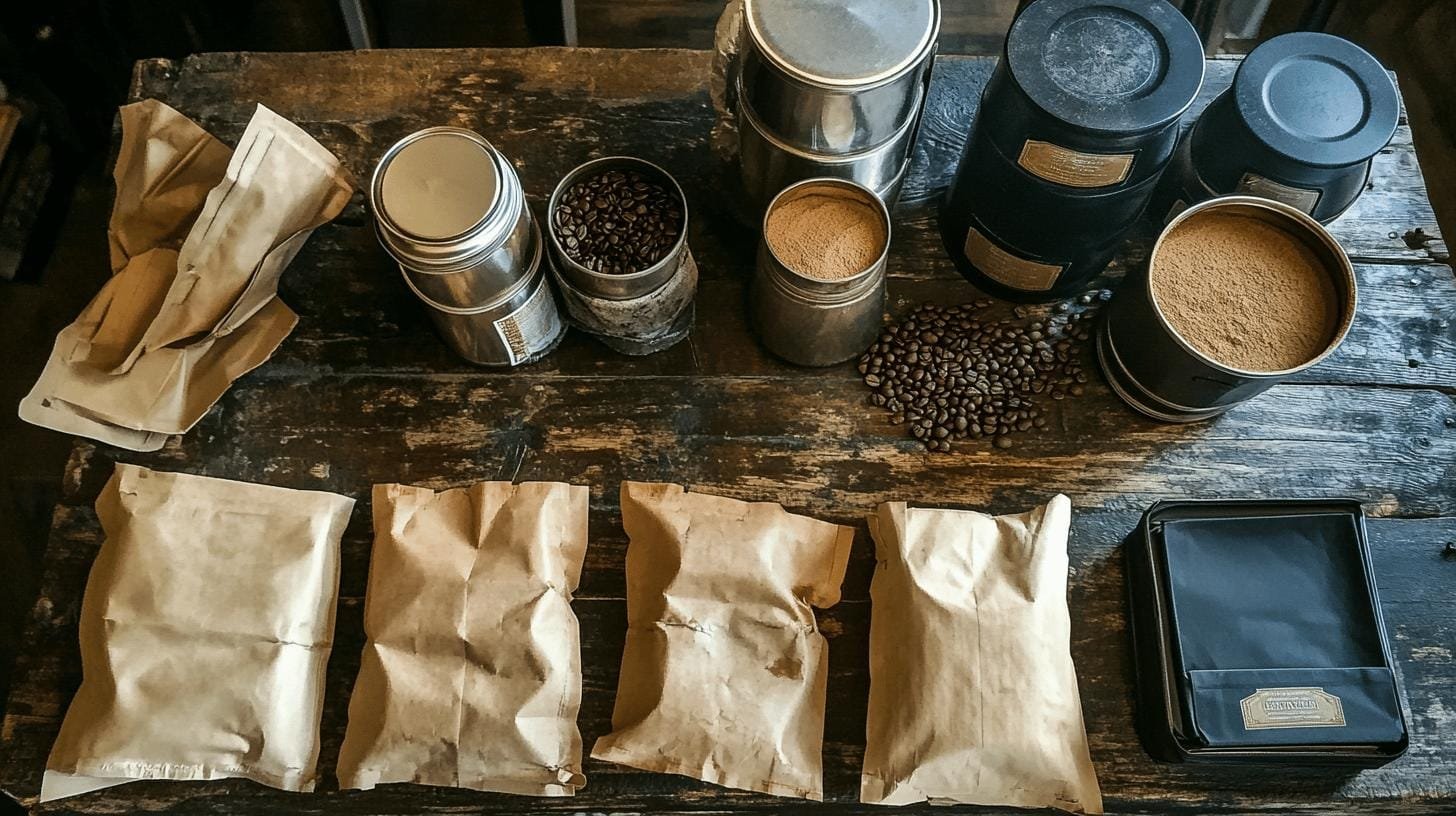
(826, 237)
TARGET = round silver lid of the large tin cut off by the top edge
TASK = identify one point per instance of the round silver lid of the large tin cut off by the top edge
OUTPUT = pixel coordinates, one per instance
(844, 43)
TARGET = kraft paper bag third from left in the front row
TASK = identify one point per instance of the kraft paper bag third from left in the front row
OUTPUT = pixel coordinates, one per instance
(724, 670)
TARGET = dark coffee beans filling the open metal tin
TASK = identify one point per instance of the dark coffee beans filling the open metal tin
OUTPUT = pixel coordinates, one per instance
(618, 222)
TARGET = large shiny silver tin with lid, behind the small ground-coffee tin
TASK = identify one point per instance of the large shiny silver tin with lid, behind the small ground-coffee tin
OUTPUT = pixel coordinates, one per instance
(832, 90)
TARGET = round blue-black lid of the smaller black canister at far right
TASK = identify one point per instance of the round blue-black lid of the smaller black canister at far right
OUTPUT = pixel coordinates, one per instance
(1318, 100)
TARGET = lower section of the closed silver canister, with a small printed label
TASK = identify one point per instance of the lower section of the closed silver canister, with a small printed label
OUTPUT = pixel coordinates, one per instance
(522, 326)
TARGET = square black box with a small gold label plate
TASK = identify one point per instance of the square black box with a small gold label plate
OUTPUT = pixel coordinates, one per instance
(1257, 636)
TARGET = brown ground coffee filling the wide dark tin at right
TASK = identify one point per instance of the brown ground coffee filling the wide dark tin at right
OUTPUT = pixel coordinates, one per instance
(1246, 292)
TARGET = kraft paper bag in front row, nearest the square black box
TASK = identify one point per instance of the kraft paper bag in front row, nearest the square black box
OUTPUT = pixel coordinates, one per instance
(973, 697)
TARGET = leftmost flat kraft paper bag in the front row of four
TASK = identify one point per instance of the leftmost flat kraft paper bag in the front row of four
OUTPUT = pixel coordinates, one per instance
(205, 633)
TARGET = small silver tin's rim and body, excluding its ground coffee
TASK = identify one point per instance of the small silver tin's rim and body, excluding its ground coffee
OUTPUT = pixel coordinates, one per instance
(812, 321)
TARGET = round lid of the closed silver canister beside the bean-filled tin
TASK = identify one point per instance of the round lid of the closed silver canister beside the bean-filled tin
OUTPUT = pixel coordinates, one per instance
(439, 184)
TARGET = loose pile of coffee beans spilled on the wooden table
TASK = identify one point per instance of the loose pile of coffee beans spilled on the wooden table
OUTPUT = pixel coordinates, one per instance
(953, 372)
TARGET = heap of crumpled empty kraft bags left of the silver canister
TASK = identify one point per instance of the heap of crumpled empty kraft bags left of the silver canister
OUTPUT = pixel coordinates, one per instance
(175, 326)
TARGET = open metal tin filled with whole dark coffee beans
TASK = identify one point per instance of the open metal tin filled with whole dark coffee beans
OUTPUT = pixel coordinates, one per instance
(618, 240)
